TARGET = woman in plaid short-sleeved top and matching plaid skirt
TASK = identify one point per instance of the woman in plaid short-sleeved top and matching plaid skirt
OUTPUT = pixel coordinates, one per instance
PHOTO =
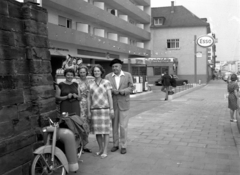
(100, 108)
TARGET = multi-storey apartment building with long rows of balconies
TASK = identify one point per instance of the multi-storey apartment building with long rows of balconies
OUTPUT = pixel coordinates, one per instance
(98, 31)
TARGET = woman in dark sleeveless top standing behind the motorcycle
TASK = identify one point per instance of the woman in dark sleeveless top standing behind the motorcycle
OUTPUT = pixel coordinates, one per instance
(68, 93)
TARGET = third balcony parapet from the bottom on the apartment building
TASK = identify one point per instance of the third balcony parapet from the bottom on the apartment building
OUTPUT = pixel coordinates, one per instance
(130, 9)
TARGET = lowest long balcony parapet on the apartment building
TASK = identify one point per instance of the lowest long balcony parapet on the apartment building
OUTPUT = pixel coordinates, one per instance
(78, 38)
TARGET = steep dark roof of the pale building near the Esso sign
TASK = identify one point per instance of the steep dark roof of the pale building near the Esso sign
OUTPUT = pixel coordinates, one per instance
(180, 17)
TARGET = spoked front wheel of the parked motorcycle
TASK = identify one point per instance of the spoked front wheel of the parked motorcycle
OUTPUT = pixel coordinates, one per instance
(41, 165)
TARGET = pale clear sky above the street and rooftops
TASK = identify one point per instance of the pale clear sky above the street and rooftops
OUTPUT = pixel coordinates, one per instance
(224, 19)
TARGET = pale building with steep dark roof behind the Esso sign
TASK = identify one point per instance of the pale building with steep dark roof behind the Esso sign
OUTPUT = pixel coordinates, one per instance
(173, 29)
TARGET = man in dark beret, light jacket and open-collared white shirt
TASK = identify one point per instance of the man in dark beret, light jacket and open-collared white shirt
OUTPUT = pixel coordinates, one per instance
(122, 84)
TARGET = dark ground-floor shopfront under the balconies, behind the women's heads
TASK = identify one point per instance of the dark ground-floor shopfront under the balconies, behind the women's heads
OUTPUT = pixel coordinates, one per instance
(60, 51)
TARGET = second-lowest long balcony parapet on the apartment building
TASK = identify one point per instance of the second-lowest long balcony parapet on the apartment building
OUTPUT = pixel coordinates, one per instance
(93, 14)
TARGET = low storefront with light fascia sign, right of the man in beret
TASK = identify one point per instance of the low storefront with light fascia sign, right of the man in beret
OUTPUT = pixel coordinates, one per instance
(157, 66)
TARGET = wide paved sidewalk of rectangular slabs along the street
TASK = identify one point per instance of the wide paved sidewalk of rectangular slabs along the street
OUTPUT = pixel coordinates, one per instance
(188, 135)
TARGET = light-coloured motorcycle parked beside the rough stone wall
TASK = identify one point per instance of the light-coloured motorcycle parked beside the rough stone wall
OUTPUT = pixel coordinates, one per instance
(51, 158)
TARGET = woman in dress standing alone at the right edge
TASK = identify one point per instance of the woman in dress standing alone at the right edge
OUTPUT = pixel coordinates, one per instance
(233, 97)
